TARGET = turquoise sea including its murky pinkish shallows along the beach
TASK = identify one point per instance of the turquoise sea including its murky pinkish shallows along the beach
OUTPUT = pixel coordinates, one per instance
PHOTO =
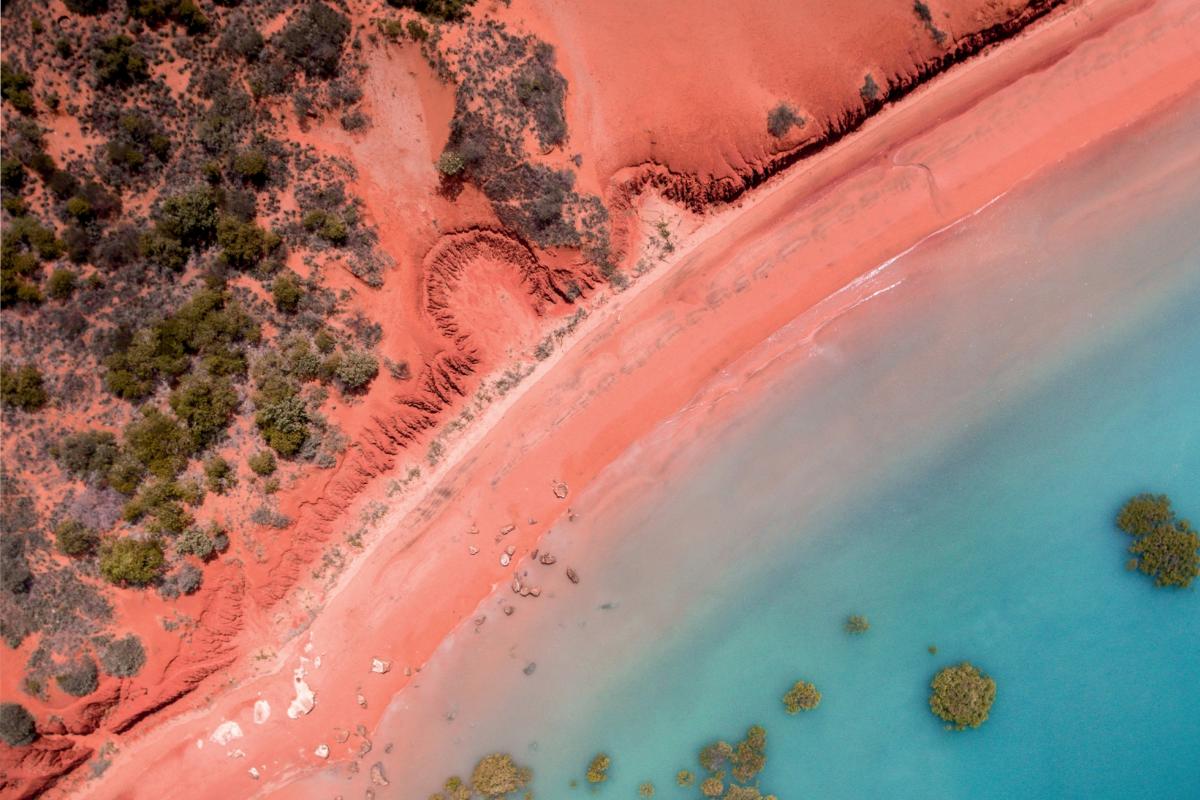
(946, 460)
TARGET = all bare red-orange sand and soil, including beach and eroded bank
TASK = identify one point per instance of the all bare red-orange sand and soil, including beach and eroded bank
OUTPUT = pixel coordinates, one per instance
(737, 276)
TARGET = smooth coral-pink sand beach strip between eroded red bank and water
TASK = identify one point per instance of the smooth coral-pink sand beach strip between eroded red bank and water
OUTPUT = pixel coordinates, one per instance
(747, 273)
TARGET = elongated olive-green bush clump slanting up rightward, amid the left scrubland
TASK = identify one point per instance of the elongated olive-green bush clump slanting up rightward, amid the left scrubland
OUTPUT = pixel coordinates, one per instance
(211, 326)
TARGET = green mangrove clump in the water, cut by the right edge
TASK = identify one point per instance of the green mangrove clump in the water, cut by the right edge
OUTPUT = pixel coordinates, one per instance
(1165, 548)
